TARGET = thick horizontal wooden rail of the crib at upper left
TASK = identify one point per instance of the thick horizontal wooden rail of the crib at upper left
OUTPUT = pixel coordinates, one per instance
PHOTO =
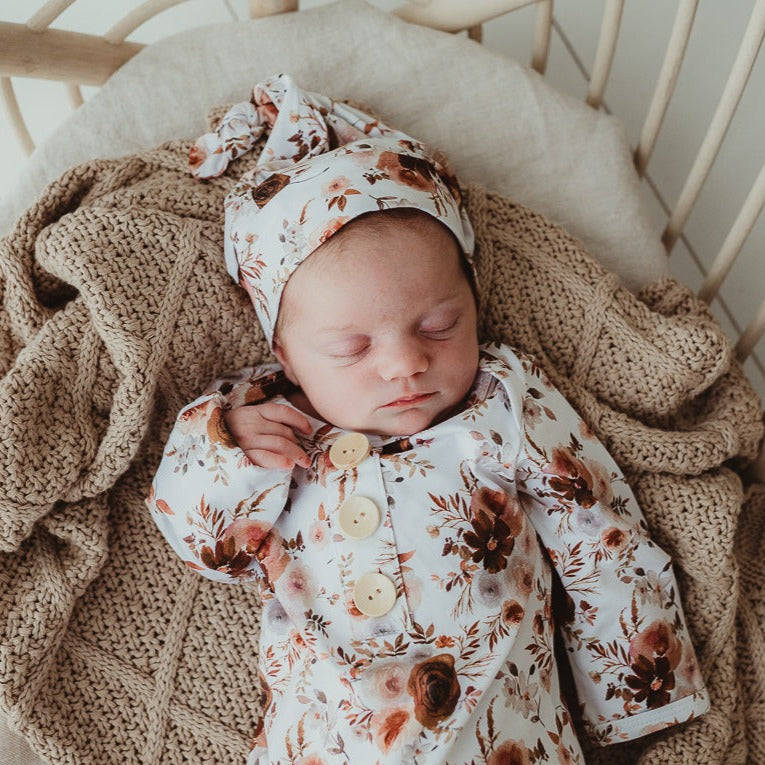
(56, 54)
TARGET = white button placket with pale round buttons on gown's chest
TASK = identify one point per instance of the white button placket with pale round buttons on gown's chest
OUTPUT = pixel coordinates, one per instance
(364, 537)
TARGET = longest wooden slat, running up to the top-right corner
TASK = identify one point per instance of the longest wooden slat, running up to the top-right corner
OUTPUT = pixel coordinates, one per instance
(734, 89)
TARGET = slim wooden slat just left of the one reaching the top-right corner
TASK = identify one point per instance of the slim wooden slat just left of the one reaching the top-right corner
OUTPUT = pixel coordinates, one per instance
(665, 85)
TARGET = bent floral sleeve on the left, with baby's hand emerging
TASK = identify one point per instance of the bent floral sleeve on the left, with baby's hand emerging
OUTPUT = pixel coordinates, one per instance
(215, 507)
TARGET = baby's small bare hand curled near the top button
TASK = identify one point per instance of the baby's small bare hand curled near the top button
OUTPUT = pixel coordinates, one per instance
(265, 434)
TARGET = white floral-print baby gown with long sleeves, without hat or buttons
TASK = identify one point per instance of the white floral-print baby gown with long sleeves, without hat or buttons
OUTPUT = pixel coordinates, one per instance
(476, 512)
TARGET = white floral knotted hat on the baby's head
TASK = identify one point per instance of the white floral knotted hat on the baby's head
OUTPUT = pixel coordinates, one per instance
(324, 164)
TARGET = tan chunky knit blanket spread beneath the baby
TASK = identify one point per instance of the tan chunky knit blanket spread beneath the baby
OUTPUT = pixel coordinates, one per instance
(117, 310)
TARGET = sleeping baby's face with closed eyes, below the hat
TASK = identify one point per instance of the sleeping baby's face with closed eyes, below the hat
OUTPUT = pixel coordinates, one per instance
(382, 334)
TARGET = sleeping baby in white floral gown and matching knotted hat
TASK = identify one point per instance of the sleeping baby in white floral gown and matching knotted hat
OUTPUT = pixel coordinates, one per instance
(402, 495)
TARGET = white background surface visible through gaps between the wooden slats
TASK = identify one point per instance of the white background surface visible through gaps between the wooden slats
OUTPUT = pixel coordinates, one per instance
(718, 29)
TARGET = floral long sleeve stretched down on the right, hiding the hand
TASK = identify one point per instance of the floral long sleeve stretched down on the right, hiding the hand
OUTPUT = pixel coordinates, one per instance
(632, 660)
